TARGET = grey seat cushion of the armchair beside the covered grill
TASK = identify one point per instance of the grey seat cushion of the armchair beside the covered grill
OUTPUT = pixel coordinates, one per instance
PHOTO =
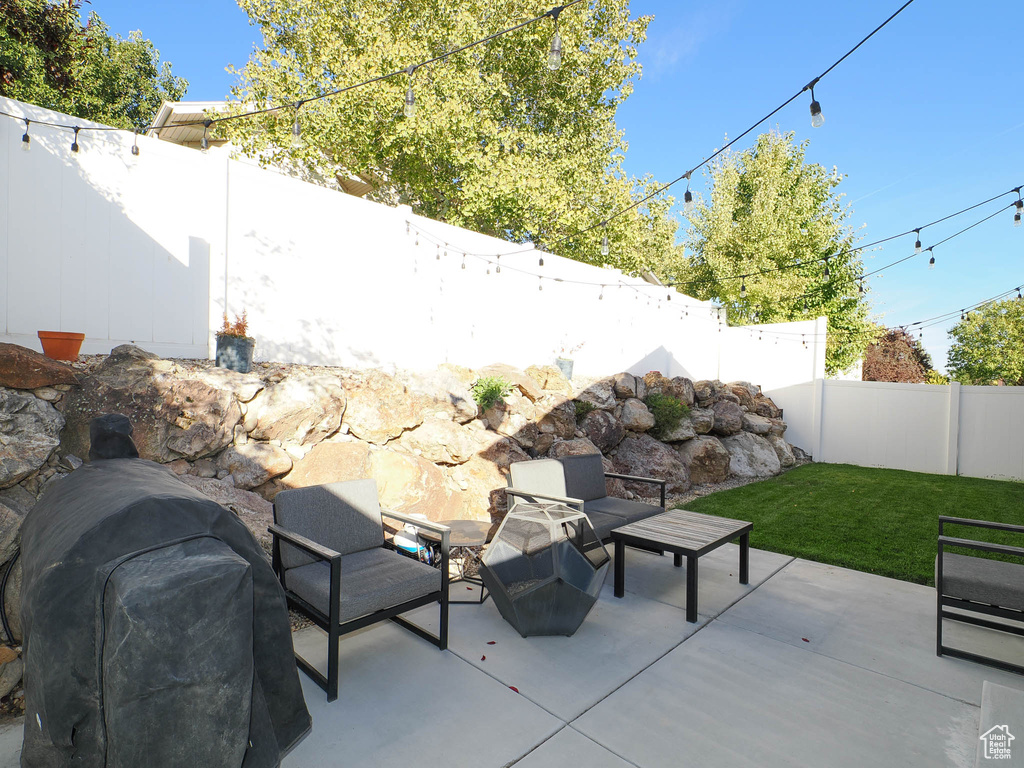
(371, 581)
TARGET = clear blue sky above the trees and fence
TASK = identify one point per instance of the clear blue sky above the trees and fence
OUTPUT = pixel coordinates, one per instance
(926, 119)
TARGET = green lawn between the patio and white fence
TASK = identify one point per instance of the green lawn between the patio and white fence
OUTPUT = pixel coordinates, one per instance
(878, 521)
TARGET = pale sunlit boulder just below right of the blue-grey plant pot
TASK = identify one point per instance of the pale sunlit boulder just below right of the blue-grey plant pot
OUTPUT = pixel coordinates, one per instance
(300, 409)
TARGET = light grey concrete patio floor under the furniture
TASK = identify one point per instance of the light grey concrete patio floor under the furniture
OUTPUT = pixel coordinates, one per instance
(809, 665)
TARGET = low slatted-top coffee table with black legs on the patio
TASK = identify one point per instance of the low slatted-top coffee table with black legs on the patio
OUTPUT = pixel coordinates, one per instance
(682, 533)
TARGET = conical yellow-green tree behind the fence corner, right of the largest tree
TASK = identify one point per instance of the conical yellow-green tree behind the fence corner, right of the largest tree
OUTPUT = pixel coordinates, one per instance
(771, 212)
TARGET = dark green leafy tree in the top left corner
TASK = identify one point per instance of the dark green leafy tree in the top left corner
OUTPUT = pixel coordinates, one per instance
(50, 58)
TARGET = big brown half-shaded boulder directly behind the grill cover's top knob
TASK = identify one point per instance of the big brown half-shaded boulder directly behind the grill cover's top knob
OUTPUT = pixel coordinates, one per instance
(174, 415)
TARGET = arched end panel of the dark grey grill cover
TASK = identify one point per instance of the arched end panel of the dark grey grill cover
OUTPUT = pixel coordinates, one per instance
(212, 681)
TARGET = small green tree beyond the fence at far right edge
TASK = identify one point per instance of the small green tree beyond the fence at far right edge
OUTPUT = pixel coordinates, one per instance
(989, 346)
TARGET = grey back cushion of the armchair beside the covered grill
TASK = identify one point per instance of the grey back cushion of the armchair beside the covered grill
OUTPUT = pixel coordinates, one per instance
(343, 517)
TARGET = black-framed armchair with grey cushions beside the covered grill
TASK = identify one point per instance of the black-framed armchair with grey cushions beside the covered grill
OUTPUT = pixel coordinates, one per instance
(329, 554)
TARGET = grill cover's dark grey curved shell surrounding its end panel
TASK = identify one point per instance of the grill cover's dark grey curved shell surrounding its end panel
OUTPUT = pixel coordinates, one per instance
(82, 530)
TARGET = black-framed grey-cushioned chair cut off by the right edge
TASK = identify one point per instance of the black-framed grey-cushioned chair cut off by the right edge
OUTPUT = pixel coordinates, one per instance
(972, 585)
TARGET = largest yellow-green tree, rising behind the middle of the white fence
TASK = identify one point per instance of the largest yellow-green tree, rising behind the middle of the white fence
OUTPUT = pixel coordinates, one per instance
(499, 144)
